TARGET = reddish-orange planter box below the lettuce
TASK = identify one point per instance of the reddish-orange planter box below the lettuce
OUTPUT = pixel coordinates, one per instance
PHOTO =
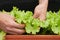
(32, 37)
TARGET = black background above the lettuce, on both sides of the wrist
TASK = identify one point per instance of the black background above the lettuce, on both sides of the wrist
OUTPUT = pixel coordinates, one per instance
(7, 5)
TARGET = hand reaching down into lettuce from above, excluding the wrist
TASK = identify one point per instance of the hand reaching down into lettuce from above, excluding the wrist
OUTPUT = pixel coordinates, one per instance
(40, 12)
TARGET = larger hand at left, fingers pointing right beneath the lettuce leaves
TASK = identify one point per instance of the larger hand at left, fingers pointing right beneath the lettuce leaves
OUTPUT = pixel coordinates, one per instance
(8, 24)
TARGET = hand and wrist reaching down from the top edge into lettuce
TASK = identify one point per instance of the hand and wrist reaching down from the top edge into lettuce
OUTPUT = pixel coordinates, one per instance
(41, 10)
